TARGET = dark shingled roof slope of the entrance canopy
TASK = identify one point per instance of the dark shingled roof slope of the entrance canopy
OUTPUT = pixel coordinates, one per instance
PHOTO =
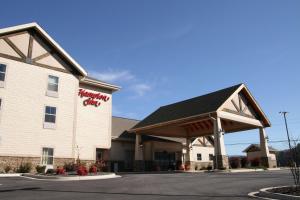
(190, 107)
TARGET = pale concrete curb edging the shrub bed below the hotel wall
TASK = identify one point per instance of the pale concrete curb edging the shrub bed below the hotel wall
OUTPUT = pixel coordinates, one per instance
(73, 178)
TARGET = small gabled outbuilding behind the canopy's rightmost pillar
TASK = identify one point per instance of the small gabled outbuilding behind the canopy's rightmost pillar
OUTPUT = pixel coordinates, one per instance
(254, 152)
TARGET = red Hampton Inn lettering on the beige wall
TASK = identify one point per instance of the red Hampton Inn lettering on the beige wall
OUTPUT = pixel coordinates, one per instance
(93, 99)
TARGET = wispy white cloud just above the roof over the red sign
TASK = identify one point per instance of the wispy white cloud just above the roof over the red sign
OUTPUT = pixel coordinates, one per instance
(113, 75)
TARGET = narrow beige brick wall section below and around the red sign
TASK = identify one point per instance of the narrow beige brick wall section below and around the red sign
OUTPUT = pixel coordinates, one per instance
(93, 129)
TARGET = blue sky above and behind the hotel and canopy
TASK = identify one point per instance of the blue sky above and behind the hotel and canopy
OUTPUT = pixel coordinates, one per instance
(162, 52)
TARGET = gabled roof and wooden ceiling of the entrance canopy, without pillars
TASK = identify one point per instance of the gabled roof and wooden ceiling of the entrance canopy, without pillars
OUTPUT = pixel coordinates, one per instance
(235, 106)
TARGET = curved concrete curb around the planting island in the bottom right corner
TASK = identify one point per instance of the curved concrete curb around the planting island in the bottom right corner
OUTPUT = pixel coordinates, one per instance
(265, 194)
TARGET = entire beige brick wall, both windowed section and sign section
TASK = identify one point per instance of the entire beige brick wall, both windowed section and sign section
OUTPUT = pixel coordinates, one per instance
(22, 115)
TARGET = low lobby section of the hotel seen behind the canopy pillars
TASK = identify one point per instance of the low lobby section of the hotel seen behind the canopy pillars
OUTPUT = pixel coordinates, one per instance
(159, 153)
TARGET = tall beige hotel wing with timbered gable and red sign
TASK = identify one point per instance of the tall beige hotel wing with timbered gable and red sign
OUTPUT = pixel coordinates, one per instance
(51, 112)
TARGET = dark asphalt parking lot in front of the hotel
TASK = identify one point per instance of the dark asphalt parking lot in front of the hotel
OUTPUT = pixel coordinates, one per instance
(146, 186)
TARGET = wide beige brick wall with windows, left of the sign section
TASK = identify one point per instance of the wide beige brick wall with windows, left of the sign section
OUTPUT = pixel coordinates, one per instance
(24, 100)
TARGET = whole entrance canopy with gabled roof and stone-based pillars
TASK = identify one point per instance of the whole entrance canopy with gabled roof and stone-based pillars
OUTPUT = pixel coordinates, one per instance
(228, 110)
